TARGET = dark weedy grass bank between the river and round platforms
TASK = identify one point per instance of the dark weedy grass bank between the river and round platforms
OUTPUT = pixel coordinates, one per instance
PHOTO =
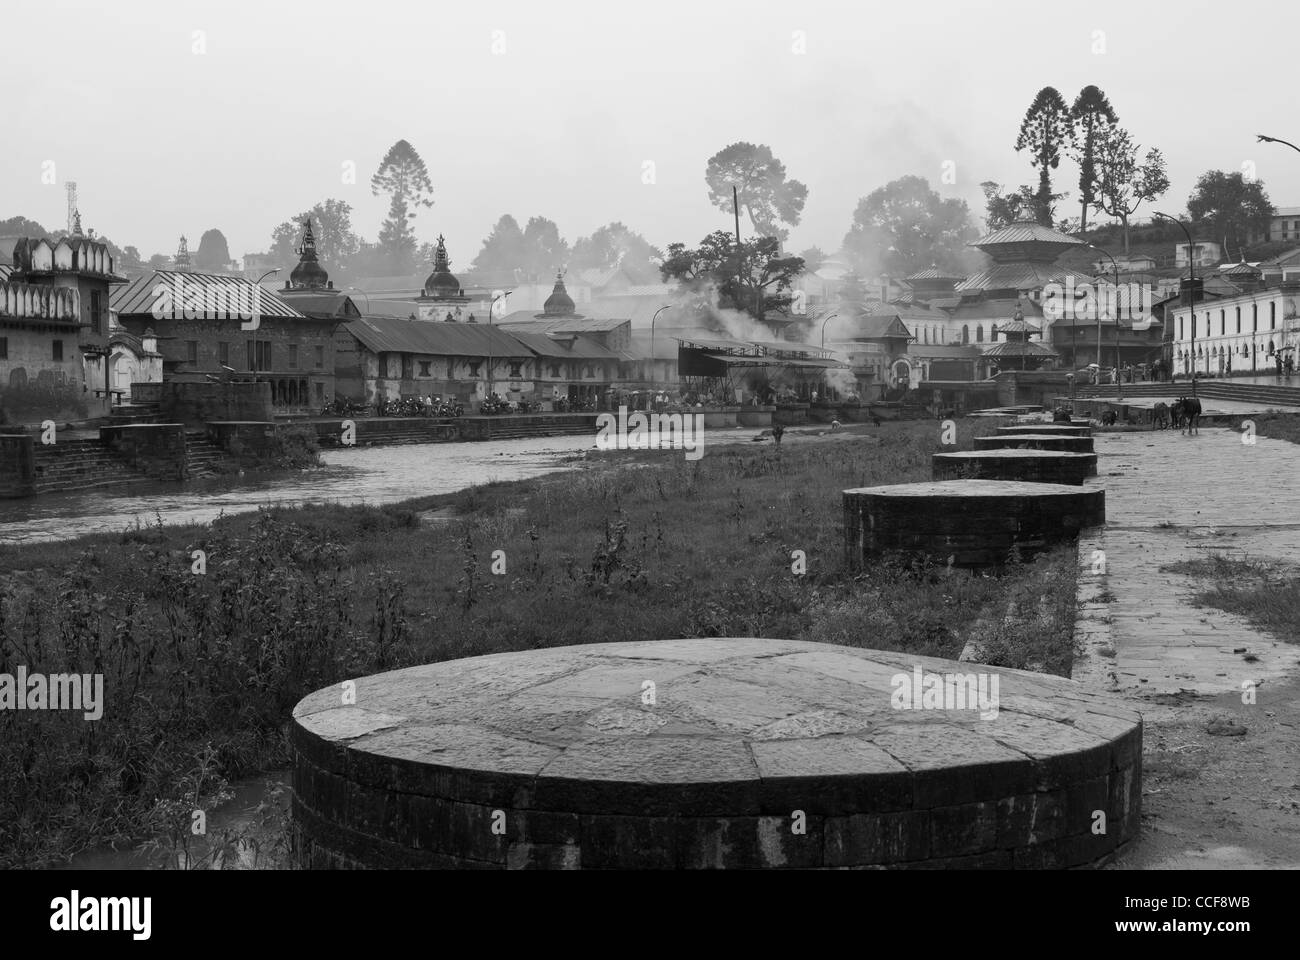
(207, 635)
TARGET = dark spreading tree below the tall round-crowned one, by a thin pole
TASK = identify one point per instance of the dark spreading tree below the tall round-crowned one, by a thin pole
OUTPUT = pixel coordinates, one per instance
(752, 278)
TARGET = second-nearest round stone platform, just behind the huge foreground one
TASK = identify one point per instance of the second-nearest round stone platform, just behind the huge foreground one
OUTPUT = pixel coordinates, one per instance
(973, 522)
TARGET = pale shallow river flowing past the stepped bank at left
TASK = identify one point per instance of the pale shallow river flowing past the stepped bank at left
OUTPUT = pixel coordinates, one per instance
(363, 475)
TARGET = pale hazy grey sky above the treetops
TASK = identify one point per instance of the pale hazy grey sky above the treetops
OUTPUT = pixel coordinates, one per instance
(561, 123)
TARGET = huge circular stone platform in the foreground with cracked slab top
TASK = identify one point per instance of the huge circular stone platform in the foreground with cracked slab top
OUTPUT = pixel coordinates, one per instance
(712, 754)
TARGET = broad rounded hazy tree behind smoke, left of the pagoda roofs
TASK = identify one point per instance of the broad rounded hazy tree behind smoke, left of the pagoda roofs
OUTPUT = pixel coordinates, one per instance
(905, 227)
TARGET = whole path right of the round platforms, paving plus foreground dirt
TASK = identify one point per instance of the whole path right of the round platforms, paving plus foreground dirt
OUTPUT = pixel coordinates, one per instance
(1214, 801)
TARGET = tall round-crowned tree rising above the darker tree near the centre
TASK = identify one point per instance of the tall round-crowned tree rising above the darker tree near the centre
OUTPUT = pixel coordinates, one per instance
(766, 196)
